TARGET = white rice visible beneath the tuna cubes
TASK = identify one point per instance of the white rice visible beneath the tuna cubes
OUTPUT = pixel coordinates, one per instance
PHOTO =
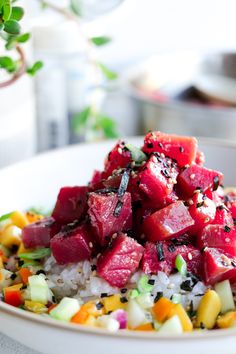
(80, 281)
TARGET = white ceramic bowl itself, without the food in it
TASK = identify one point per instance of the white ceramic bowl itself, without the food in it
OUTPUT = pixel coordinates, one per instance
(36, 182)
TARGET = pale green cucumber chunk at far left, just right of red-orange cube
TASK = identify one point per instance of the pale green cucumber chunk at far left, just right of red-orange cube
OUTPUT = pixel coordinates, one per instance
(39, 290)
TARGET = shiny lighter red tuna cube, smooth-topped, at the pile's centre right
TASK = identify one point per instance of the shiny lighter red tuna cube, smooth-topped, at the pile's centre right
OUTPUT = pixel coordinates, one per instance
(168, 222)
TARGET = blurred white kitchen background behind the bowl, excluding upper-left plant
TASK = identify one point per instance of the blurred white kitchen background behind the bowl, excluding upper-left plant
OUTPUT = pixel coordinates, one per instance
(120, 68)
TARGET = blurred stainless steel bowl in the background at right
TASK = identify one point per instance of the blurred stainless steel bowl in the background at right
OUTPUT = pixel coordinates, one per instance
(173, 73)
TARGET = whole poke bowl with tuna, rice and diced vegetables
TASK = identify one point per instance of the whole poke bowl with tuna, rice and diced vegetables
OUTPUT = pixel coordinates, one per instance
(170, 293)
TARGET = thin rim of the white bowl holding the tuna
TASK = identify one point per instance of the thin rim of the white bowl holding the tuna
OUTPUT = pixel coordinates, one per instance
(137, 335)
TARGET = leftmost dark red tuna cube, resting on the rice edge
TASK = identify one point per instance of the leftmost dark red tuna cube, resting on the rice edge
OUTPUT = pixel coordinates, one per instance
(39, 233)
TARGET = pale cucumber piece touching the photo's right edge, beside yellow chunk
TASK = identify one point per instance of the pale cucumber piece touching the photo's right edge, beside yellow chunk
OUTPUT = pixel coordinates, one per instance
(224, 291)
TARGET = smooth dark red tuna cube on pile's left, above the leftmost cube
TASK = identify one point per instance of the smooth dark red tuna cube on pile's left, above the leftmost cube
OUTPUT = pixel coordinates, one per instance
(71, 204)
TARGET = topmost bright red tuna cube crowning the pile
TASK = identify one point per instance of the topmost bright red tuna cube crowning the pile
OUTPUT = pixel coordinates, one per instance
(181, 148)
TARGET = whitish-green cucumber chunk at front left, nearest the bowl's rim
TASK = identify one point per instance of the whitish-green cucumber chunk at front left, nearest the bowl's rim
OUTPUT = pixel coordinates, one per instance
(66, 309)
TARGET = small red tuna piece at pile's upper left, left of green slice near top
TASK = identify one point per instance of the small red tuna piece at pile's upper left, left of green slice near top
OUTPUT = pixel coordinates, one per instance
(118, 157)
